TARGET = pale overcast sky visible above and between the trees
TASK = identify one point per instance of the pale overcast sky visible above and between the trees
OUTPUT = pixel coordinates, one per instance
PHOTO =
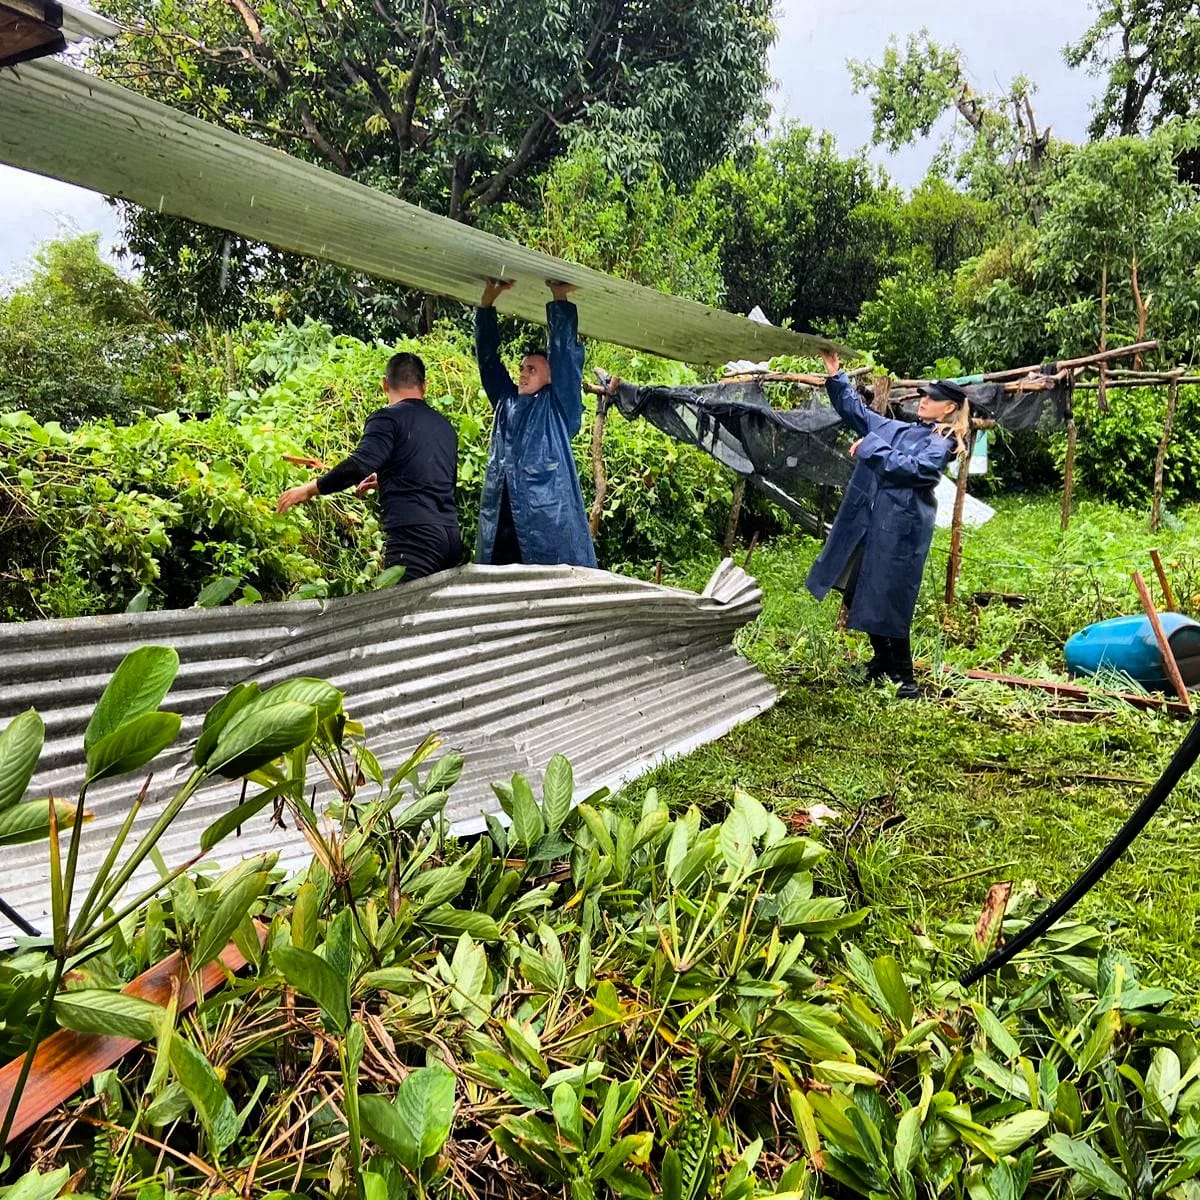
(815, 40)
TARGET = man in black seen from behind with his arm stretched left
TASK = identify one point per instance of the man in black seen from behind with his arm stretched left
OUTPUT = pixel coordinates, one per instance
(411, 454)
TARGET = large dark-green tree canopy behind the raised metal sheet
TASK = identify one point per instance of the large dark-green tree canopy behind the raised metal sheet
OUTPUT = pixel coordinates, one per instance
(452, 105)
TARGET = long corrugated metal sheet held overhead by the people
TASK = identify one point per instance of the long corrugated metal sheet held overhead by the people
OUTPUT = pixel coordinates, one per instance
(62, 123)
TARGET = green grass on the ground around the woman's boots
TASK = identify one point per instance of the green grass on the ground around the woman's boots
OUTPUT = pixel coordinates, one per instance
(943, 797)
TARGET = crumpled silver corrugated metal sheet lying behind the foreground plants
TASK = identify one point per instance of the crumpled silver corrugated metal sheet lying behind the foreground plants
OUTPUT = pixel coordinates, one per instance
(511, 665)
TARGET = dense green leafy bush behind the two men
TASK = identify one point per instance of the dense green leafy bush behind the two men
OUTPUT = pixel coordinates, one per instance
(154, 512)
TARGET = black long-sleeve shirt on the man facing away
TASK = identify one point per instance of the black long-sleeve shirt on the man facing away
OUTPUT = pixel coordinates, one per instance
(415, 452)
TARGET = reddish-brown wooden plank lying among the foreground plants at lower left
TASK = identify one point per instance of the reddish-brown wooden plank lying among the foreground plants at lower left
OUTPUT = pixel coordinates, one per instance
(67, 1061)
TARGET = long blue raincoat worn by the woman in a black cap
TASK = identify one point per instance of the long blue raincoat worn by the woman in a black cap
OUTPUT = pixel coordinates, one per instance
(887, 511)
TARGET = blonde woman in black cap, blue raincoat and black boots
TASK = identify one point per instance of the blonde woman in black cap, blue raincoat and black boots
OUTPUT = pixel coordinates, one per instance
(877, 550)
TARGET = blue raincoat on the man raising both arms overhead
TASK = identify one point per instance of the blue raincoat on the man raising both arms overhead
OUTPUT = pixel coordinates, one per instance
(531, 448)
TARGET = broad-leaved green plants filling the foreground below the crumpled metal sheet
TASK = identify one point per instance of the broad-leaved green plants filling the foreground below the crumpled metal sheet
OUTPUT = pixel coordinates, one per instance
(613, 1001)
